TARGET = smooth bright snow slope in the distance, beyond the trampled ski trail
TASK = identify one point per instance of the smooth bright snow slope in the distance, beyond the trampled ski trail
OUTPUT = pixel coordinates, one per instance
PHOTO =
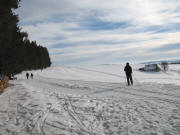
(109, 73)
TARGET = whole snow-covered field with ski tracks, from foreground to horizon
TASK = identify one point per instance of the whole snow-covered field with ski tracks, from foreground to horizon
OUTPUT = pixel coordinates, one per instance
(92, 100)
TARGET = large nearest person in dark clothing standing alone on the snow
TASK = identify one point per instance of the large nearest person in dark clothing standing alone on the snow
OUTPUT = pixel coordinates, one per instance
(128, 71)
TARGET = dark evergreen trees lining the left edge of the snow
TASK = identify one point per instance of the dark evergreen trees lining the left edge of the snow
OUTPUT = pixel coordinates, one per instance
(17, 52)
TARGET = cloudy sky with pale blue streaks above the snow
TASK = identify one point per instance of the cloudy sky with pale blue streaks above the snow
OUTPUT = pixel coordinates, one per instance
(103, 31)
